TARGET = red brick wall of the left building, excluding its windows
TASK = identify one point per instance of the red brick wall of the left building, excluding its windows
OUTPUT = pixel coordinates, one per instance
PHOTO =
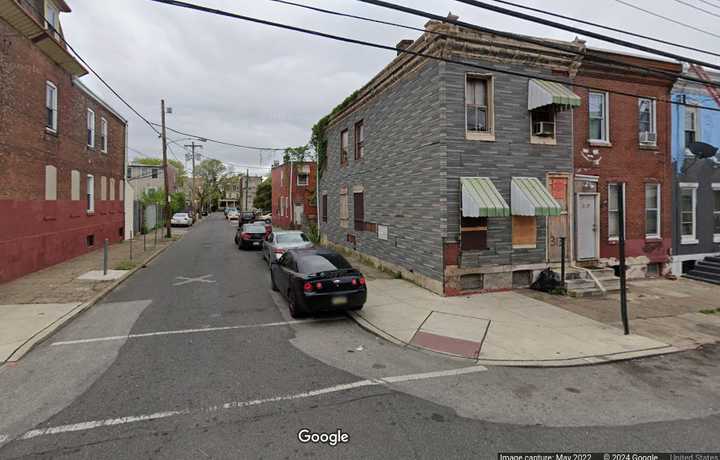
(35, 233)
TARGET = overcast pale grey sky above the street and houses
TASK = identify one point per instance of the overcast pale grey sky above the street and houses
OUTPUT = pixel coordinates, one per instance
(256, 85)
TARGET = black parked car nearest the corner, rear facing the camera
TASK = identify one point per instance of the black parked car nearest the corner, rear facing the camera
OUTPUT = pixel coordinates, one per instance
(317, 280)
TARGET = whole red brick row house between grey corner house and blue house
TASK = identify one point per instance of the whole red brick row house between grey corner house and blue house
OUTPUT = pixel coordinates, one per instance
(623, 141)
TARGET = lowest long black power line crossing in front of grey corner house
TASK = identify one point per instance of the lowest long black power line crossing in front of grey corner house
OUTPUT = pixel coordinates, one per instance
(404, 51)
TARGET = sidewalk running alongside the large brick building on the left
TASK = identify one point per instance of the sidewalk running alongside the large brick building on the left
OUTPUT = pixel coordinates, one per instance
(34, 306)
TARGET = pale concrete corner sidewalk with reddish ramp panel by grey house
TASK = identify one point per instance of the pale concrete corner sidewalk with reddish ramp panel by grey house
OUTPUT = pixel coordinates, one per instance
(496, 329)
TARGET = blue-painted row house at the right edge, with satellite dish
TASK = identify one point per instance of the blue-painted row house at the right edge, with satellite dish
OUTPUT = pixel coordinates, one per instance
(696, 190)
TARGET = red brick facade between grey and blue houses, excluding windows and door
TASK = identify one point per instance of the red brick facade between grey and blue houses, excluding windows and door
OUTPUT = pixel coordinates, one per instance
(626, 161)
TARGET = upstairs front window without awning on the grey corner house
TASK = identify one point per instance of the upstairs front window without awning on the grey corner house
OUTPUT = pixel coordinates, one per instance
(478, 107)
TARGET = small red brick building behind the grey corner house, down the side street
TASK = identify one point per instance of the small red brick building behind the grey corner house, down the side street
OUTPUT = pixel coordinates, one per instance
(293, 192)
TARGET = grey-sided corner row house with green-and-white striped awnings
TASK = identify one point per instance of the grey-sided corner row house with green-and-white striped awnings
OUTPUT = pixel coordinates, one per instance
(456, 176)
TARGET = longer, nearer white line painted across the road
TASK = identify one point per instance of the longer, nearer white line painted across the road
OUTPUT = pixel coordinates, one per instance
(93, 424)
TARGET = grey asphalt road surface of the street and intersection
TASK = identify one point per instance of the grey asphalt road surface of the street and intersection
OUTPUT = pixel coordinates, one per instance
(213, 367)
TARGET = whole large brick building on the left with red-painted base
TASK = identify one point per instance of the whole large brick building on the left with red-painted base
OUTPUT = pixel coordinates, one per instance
(62, 149)
